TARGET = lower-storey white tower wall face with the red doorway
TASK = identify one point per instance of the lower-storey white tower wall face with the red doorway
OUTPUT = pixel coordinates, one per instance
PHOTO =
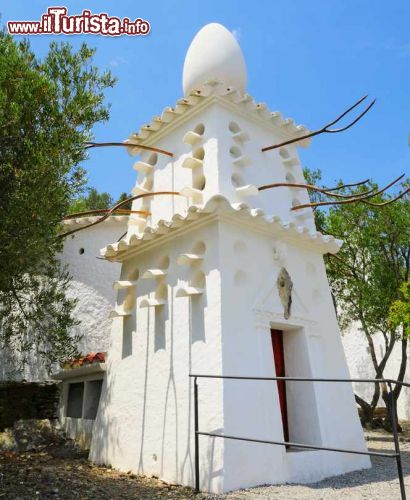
(251, 306)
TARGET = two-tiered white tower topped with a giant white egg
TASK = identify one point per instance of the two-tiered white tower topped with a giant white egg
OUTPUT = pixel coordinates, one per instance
(223, 279)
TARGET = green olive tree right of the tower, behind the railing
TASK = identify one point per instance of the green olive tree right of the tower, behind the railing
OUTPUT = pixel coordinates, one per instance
(369, 276)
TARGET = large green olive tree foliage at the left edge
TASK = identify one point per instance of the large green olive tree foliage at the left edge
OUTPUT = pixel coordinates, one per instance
(47, 110)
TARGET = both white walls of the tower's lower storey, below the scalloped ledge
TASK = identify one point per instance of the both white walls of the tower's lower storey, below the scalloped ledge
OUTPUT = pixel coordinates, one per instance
(145, 420)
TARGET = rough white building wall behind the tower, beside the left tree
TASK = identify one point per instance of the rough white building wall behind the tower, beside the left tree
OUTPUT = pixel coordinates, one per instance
(91, 285)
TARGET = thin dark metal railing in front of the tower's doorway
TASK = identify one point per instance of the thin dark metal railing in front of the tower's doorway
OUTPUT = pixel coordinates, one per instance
(390, 406)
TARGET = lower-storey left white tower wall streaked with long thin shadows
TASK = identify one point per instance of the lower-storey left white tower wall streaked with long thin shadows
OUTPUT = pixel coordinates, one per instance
(145, 420)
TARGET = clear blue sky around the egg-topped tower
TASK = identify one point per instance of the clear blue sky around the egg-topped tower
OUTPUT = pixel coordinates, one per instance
(309, 59)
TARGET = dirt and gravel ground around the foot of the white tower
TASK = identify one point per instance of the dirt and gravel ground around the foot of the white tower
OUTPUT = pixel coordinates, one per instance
(54, 474)
